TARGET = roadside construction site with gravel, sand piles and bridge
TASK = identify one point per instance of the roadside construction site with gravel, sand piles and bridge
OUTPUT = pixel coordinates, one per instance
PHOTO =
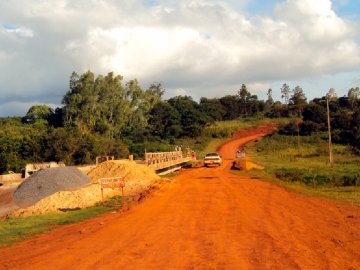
(53, 187)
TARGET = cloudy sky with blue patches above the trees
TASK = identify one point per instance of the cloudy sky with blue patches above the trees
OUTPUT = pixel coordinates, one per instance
(200, 48)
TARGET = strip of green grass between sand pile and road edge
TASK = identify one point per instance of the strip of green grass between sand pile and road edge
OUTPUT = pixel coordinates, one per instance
(15, 229)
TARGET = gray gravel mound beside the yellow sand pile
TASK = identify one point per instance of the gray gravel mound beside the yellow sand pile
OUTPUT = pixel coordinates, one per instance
(46, 182)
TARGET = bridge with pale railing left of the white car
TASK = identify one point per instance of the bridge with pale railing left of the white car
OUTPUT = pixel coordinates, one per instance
(164, 162)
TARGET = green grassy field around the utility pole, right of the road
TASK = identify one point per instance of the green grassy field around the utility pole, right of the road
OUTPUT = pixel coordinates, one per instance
(301, 165)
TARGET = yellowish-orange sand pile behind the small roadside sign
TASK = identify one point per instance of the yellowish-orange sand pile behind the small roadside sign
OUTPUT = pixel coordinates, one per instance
(138, 178)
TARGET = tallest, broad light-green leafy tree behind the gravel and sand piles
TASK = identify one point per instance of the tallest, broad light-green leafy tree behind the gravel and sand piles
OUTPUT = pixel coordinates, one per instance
(100, 105)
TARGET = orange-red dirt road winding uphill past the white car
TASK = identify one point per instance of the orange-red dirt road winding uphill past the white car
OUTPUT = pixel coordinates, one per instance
(208, 218)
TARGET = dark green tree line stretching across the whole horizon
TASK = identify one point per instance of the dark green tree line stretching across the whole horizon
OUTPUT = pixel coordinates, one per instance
(103, 115)
